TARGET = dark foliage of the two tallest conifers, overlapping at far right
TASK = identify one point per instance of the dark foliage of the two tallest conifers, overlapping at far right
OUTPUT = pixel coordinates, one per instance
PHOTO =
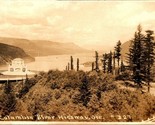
(141, 56)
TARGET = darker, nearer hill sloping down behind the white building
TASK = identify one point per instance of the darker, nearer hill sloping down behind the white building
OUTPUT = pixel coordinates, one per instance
(9, 52)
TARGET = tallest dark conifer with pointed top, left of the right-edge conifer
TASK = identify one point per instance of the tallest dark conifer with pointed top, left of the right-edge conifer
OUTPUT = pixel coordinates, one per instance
(135, 57)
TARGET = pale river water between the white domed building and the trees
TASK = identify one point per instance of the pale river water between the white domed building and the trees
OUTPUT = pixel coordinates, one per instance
(59, 62)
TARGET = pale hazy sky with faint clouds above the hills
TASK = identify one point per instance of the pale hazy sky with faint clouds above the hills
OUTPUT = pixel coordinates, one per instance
(89, 24)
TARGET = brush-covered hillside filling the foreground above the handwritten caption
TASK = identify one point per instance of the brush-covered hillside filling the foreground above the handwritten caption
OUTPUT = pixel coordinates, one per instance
(72, 94)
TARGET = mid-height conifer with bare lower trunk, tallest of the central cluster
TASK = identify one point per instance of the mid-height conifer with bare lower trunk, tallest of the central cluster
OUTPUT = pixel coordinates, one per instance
(118, 53)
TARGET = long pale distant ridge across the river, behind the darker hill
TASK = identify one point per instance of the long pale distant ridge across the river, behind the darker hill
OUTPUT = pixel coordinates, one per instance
(43, 47)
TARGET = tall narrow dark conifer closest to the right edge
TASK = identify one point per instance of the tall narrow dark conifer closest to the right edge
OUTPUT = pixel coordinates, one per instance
(149, 55)
